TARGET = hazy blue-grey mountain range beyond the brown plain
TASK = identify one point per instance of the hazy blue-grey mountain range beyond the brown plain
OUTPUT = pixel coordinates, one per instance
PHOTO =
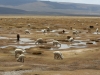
(37, 7)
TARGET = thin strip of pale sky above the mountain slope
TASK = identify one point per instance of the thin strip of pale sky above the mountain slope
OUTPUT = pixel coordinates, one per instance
(78, 1)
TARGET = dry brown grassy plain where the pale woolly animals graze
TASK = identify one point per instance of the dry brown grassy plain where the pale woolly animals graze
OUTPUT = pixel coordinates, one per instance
(39, 59)
